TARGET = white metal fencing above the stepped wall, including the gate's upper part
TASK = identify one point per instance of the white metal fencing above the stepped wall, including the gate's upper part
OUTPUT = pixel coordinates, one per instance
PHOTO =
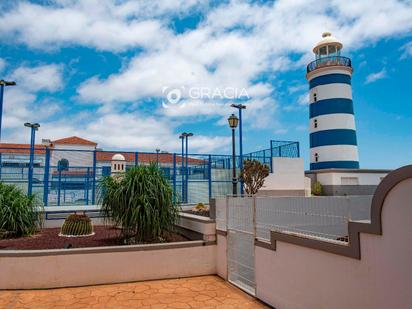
(322, 217)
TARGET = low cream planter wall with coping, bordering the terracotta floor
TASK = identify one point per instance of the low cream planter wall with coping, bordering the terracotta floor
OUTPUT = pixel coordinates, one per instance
(90, 266)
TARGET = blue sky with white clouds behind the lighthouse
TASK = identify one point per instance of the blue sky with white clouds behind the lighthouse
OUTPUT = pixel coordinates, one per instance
(99, 70)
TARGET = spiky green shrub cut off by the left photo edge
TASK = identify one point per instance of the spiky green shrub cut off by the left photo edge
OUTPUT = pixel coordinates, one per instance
(20, 215)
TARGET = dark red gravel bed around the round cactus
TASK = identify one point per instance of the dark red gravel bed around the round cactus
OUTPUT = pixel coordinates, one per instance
(48, 238)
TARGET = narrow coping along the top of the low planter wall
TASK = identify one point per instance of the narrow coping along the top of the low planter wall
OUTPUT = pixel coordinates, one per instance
(108, 249)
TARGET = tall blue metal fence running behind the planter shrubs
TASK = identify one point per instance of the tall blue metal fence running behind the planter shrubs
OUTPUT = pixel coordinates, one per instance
(205, 175)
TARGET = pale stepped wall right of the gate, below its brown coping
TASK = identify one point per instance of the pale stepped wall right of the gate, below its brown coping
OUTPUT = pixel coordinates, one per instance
(298, 277)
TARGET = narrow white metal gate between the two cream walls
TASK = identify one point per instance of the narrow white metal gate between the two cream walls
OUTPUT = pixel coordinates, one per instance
(240, 246)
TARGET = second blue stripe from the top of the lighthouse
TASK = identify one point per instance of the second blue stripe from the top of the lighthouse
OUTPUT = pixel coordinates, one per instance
(331, 106)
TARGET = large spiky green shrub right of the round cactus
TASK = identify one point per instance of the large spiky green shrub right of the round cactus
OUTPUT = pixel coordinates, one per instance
(141, 203)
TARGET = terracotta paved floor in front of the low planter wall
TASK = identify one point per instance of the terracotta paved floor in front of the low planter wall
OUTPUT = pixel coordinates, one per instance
(198, 292)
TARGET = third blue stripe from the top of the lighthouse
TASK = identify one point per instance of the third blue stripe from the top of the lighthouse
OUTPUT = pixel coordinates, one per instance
(333, 137)
